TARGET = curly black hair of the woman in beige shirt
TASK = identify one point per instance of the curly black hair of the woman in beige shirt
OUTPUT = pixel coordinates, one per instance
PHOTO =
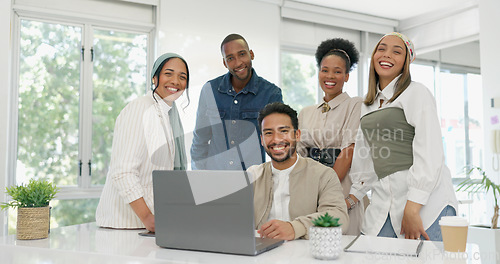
(338, 46)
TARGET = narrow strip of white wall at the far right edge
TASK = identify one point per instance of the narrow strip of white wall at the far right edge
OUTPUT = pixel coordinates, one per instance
(490, 67)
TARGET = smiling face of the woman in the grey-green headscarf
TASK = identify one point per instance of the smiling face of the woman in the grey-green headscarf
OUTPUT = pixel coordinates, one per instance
(172, 81)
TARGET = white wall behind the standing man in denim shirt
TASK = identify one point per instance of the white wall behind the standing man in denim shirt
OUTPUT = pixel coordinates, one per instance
(195, 29)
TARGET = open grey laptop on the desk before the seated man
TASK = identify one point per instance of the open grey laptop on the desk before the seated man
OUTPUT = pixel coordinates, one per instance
(206, 211)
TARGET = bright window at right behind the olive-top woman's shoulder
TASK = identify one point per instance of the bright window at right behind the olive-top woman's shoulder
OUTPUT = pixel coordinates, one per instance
(458, 93)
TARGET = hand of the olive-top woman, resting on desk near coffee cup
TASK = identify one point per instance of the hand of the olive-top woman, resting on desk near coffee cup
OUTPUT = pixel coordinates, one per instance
(412, 225)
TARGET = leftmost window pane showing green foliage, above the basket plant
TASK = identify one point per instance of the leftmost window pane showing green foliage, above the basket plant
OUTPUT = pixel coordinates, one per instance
(49, 81)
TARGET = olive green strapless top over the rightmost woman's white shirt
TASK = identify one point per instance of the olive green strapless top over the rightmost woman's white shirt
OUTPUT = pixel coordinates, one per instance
(390, 138)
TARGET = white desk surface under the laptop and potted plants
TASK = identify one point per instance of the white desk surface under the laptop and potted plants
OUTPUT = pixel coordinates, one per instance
(87, 243)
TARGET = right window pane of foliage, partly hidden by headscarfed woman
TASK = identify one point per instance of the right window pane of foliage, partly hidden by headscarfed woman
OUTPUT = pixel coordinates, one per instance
(119, 76)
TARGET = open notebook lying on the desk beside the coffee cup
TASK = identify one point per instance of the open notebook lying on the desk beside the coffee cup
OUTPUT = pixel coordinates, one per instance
(385, 246)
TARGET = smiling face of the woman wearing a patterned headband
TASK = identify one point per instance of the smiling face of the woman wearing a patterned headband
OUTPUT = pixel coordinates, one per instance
(389, 59)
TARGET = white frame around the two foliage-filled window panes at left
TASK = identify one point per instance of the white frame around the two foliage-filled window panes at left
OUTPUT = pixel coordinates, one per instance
(84, 189)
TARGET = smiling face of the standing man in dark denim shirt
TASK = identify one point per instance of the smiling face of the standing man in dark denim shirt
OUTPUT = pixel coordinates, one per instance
(237, 58)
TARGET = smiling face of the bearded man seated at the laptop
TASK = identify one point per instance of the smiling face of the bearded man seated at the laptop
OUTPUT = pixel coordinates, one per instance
(279, 140)
